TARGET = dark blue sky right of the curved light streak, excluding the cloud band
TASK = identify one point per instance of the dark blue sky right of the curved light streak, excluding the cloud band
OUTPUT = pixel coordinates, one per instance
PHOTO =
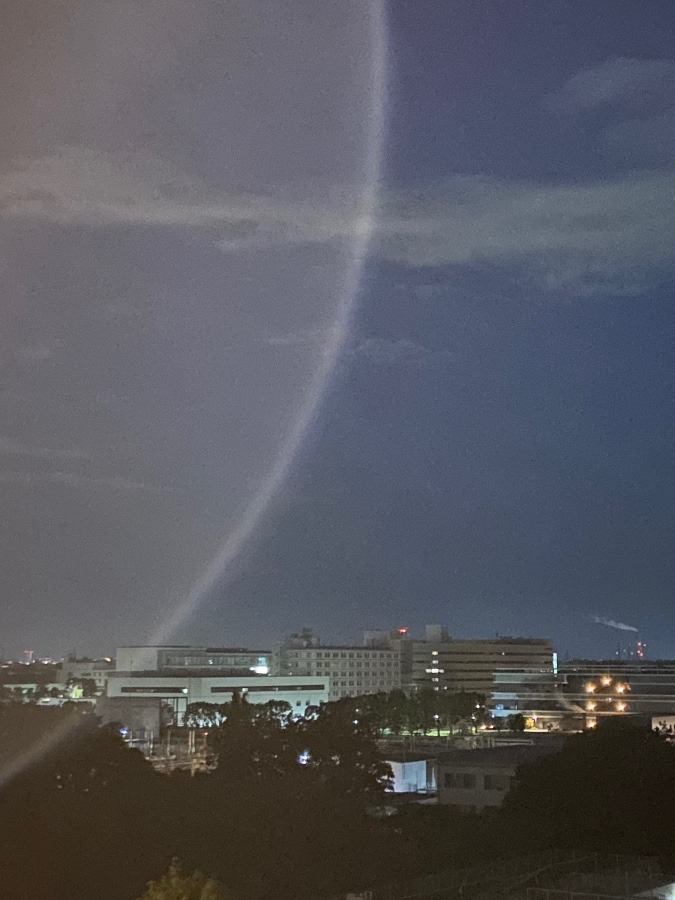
(496, 455)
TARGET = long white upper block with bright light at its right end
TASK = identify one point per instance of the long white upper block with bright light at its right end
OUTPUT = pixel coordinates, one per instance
(161, 658)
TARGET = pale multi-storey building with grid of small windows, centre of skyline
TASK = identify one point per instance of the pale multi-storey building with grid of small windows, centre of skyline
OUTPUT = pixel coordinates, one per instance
(352, 671)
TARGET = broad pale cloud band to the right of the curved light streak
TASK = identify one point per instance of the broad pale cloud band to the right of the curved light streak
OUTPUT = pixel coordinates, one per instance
(595, 237)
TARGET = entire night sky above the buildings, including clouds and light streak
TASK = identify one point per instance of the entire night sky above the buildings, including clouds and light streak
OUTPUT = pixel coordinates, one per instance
(350, 315)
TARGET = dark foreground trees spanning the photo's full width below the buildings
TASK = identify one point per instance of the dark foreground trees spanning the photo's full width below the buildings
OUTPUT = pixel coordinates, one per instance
(288, 811)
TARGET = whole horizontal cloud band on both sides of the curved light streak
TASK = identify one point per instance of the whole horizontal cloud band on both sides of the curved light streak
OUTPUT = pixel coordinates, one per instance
(603, 237)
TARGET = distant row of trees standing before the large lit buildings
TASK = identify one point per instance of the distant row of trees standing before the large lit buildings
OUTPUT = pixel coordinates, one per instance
(394, 712)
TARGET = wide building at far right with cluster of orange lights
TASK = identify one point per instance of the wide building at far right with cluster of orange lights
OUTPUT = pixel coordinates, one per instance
(583, 691)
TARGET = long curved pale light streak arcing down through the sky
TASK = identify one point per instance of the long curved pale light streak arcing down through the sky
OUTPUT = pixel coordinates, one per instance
(362, 227)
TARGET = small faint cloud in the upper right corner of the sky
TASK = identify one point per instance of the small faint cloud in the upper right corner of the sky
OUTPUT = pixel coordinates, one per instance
(617, 81)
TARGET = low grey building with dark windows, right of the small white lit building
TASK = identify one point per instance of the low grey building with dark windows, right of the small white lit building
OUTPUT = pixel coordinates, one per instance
(472, 780)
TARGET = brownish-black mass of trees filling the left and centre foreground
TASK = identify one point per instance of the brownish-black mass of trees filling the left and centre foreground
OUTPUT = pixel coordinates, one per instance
(284, 814)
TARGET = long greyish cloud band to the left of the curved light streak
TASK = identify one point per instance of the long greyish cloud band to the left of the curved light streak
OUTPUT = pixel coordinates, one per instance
(76, 185)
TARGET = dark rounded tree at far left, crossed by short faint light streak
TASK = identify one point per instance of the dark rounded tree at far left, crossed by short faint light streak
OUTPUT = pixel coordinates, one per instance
(82, 789)
